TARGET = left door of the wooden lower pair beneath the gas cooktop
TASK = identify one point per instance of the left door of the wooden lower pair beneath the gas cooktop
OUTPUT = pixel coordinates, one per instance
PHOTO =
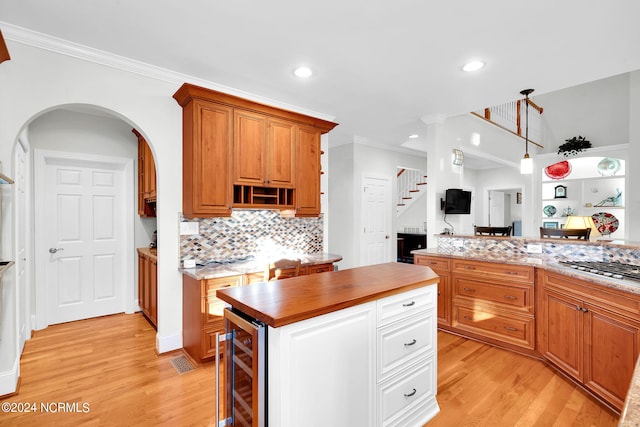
(563, 322)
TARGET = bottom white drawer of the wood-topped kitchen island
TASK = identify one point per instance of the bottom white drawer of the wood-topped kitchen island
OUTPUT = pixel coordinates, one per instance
(401, 393)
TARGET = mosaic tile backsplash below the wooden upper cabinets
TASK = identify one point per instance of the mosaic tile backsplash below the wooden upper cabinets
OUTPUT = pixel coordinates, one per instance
(251, 234)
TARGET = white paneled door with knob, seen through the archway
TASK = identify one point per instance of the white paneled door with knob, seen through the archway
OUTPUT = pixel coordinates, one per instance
(84, 239)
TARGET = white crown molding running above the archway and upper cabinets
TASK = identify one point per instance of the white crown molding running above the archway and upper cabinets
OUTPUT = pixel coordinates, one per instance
(89, 54)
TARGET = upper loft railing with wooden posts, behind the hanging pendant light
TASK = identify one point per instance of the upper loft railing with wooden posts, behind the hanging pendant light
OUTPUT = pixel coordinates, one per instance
(509, 116)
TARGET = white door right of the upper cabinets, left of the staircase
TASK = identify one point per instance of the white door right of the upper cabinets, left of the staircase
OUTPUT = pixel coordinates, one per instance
(376, 220)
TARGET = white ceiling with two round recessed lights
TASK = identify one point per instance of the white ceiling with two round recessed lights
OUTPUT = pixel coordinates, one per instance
(379, 67)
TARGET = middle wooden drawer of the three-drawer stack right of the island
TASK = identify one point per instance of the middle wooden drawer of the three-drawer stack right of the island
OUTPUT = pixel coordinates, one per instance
(511, 296)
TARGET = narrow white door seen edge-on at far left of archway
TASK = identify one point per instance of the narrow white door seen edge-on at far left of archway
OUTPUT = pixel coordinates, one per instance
(22, 215)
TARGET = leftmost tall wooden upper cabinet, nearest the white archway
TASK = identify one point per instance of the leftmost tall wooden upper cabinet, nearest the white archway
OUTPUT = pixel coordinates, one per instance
(206, 165)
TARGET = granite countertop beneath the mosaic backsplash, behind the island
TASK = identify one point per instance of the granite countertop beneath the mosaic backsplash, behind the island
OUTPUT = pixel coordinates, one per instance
(217, 270)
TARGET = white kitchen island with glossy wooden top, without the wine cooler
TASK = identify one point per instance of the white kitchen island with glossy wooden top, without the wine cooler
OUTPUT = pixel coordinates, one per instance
(355, 347)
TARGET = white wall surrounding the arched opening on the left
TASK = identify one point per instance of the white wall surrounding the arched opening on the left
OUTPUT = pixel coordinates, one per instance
(36, 81)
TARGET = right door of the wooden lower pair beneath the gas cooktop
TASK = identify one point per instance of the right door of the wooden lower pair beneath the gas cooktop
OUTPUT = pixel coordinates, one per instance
(614, 342)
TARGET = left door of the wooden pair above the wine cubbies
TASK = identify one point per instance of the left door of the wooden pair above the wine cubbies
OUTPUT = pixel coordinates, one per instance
(249, 142)
